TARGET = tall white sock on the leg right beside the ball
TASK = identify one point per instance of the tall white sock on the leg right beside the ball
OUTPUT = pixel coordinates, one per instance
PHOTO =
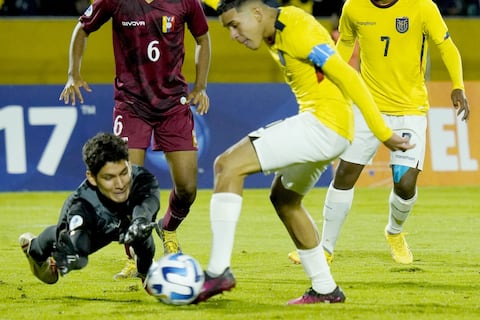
(224, 213)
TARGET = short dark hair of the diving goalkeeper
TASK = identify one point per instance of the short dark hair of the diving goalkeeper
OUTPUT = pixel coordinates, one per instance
(103, 148)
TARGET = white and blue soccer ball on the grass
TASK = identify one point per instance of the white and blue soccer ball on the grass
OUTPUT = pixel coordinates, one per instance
(176, 279)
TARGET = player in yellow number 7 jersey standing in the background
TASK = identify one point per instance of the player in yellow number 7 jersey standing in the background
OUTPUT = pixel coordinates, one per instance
(393, 37)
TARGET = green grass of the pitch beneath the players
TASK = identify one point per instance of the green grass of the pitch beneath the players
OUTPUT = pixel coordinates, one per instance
(442, 283)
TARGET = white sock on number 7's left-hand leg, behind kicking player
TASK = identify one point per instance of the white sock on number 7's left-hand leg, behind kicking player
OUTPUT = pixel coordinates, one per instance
(335, 211)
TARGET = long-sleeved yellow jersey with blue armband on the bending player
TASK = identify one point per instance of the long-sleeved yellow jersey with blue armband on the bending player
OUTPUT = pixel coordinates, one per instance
(320, 80)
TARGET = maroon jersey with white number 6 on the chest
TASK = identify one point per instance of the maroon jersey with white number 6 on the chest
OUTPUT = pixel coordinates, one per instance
(148, 44)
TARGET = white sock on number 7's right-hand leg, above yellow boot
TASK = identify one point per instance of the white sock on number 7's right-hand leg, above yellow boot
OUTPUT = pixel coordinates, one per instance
(399, 211)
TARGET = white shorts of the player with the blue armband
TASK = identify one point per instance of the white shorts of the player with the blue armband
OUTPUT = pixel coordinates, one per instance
(299, 148)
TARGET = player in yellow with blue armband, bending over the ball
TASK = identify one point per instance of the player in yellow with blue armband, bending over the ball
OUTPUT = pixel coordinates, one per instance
(298, 149)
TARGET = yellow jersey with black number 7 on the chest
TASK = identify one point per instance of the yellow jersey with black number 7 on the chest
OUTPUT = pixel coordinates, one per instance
(393, 49)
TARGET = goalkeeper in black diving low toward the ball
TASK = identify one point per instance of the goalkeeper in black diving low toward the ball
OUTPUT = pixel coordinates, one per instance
(117, 202)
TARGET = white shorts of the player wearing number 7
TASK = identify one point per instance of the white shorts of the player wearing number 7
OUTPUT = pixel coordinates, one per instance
(365, 144)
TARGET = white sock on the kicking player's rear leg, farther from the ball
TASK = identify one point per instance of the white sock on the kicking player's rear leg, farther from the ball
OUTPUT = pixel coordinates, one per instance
(317, 269)
